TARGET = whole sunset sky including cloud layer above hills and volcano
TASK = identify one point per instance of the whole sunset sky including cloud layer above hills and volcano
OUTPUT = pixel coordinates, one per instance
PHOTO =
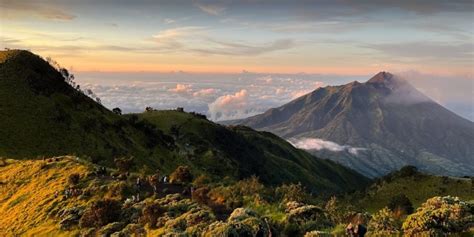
(232, 59)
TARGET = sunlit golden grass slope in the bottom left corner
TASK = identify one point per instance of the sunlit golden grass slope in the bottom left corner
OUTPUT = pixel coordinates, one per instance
(27, 191)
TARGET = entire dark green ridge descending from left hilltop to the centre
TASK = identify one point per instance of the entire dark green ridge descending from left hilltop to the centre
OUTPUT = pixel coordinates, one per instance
(43, 115)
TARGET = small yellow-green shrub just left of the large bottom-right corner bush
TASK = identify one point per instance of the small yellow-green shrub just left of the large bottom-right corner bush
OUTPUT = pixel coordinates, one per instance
(384, 222)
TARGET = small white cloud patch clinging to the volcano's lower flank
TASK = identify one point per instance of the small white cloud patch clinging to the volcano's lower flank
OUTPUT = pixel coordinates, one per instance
(320, 144)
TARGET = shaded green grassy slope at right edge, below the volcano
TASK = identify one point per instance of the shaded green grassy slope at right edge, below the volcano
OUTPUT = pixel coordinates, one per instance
(418, 188)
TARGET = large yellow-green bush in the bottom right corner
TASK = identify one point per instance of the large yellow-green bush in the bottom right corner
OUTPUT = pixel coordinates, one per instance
(438, 216)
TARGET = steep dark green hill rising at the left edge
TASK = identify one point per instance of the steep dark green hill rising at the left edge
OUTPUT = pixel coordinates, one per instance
(42, 115)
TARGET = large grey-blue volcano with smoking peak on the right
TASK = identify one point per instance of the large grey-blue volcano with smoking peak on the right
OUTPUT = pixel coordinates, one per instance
(375, 127)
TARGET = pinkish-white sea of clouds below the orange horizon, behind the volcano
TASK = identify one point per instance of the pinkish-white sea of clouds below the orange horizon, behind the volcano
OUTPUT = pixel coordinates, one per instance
(239, 95)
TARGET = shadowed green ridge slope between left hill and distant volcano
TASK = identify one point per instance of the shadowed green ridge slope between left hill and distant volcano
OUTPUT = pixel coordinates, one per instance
(220, 149)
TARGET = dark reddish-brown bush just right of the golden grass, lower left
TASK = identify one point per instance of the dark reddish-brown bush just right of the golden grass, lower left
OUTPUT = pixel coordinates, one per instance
(101, 213)
